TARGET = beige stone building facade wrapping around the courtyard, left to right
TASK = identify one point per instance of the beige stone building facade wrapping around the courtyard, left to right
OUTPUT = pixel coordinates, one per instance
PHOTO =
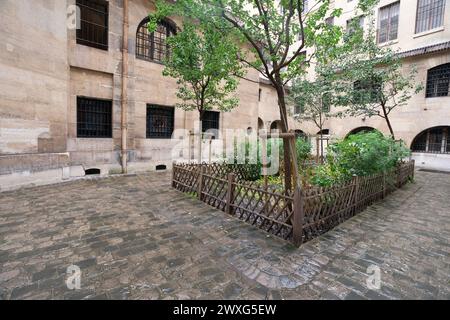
(49, 72)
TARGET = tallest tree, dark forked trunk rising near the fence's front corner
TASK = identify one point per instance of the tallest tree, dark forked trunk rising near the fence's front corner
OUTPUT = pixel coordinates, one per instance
(277, 32)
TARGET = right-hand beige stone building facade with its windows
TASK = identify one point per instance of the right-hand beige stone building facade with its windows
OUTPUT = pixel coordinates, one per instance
(420, 31)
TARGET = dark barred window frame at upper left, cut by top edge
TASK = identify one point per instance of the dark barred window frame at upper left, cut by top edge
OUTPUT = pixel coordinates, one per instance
(89, 42)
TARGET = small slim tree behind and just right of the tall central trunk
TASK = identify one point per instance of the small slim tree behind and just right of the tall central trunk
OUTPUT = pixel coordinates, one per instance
(312, 101)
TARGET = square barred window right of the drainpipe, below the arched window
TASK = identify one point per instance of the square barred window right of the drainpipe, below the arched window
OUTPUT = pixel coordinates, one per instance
(160, 122)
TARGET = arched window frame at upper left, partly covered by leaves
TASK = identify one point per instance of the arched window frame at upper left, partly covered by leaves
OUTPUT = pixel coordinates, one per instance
(148, 41)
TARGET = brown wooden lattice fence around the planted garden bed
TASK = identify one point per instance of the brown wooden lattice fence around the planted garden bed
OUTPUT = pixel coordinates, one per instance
(298, 216)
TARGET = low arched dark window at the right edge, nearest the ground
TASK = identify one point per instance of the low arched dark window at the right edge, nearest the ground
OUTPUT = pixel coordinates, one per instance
(433, 140)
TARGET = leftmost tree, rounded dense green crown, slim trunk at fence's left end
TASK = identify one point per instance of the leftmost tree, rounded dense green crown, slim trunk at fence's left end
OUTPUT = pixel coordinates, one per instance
(205, 64)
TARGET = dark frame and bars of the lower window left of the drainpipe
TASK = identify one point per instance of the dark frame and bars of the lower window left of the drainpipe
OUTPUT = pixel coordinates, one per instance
(81, 132)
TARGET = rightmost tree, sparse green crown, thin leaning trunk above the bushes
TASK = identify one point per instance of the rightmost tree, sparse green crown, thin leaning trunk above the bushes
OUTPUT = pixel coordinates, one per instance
(372, 80)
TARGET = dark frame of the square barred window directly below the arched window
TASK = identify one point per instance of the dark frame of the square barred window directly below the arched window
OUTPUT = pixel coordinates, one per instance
(161, 134)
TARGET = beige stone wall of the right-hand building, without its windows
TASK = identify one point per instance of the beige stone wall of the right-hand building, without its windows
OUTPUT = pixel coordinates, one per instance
(420, 113)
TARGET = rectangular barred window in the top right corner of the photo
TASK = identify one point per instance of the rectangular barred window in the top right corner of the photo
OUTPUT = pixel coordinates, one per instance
(430, 14)
